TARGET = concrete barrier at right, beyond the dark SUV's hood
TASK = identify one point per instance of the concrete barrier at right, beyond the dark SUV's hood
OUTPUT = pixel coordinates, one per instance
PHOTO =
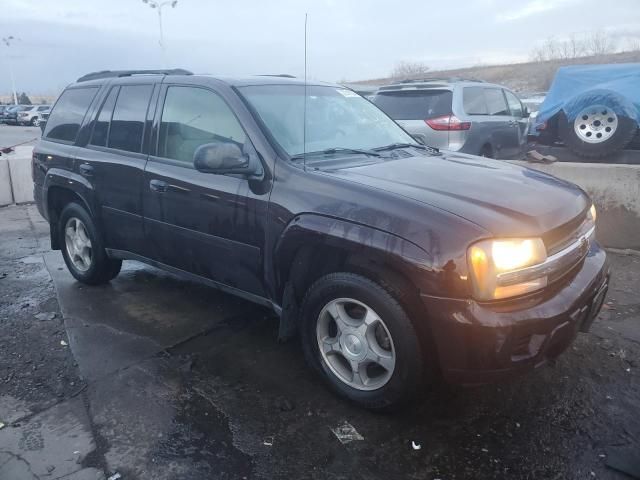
(615, 190)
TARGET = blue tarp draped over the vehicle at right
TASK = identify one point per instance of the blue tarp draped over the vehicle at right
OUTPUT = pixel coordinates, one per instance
(576, 87)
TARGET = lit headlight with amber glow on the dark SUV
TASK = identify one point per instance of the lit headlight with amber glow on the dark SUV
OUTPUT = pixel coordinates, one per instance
(494, 264)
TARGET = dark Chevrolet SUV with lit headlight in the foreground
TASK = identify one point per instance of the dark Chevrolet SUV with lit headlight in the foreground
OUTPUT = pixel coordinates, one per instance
(396, 263)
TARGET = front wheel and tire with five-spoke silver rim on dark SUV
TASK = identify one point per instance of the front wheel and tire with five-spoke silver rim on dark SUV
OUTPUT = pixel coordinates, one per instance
(387, 388)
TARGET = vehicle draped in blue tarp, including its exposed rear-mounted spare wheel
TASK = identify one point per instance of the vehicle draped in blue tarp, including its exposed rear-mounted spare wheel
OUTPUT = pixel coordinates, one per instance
(593, 109)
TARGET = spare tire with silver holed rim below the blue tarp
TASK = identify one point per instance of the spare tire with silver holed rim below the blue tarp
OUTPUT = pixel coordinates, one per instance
(571, 132)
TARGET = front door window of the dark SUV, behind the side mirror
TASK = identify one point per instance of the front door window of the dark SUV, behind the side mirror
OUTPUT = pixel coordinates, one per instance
(192, 117)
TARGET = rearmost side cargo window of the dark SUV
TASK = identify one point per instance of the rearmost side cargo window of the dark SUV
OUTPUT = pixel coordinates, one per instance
(66, 118)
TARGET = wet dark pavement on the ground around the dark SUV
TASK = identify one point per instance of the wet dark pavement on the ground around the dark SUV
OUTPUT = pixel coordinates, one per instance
(163, 378)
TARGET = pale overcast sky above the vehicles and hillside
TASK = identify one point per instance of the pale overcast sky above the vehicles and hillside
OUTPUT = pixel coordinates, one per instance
(60, 40)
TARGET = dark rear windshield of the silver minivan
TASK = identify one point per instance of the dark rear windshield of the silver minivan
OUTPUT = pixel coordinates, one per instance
(415, 105)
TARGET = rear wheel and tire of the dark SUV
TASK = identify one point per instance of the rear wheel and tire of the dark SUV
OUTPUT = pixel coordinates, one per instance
(87, 262)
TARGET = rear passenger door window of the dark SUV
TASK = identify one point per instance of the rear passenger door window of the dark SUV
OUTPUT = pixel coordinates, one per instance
(129, 116)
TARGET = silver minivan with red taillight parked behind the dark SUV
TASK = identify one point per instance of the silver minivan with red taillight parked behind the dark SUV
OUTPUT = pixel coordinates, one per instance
(459, 115)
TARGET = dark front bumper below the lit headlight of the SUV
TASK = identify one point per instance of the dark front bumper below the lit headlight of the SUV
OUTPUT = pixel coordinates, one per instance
(483, 343)
